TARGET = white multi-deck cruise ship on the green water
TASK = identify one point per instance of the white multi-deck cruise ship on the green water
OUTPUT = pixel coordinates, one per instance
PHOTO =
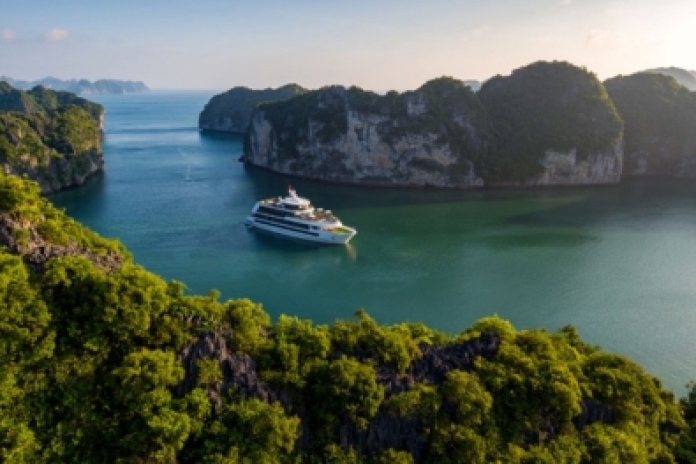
(294, 217)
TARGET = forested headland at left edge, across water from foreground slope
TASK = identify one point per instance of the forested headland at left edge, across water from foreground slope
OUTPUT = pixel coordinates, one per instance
(52, 137)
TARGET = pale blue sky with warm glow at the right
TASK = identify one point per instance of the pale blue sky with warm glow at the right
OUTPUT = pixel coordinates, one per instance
(375, 44)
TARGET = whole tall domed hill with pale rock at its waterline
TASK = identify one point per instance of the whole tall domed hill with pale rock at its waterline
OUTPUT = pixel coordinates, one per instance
(555, 125)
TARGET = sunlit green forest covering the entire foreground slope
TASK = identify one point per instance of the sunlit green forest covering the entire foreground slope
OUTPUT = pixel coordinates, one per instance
(103, 361)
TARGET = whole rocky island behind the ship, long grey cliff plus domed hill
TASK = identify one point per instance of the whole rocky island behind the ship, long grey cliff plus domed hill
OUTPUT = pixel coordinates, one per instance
(546, 124)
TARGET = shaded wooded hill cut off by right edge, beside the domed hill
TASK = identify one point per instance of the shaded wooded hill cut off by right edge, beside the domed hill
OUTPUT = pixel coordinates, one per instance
(660, 118)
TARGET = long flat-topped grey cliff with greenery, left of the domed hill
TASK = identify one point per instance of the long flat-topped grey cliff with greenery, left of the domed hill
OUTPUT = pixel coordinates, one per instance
(431, 137)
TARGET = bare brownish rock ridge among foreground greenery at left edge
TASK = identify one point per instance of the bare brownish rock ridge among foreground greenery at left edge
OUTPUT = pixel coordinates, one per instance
(36, 251)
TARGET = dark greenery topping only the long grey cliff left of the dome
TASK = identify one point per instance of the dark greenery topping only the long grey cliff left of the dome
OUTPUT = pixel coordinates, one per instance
(445, 107)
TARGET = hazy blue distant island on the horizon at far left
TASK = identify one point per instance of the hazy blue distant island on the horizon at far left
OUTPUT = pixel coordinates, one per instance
(81, 86)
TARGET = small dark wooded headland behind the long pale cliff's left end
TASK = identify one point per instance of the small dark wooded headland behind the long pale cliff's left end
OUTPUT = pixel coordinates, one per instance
(231, 111)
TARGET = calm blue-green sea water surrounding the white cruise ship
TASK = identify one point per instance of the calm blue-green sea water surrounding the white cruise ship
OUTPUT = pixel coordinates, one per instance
(618, 263)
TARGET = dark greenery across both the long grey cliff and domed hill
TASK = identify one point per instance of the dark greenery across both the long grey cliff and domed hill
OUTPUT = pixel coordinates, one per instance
(503, 131)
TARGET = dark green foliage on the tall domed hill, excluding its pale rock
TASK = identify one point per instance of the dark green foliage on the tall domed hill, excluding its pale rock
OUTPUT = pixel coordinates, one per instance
(546, 105)
